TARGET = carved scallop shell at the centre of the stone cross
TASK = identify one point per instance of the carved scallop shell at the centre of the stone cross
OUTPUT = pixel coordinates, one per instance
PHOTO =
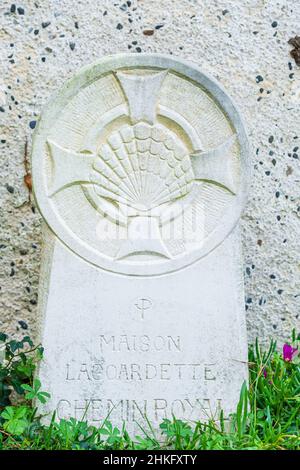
(143, 166)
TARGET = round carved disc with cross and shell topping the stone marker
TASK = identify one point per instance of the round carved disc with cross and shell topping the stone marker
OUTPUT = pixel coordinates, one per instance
(140, 164)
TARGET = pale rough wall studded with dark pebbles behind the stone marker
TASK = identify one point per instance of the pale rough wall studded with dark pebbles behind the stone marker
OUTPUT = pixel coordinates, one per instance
(243, 44)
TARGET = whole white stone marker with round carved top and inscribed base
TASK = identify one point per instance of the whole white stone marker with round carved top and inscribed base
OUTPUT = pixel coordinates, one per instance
(140, 168)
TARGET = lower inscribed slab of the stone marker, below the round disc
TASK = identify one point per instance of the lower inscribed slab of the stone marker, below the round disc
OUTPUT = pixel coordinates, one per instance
(144, 346)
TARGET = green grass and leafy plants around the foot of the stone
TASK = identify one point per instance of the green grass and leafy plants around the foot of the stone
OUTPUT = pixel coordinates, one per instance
(267, 415)
